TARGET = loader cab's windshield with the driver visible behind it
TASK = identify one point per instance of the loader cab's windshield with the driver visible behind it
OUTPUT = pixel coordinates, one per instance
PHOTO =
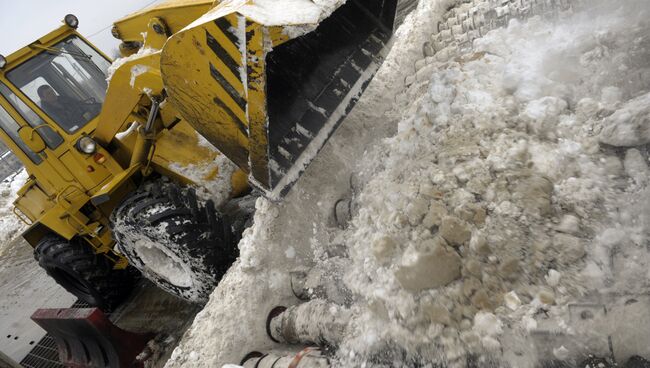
(68, 81)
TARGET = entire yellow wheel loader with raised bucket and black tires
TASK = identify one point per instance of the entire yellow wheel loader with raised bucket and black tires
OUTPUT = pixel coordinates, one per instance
(237, 95)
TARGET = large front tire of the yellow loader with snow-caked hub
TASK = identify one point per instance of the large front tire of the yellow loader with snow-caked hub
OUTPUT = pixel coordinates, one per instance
(182, 245)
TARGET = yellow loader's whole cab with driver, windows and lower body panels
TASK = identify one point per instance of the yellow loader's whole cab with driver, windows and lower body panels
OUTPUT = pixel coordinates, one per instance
(51, 93)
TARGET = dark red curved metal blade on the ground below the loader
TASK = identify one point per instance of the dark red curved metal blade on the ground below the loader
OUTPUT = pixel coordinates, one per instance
(86, 338)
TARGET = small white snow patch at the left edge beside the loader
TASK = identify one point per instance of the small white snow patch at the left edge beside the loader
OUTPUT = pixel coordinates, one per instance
(10, 225)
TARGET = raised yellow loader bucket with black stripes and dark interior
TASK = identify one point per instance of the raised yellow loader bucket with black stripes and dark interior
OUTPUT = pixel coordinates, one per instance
(266, 97)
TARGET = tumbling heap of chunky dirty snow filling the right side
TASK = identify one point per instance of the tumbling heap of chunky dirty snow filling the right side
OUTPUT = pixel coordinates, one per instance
(496, 199)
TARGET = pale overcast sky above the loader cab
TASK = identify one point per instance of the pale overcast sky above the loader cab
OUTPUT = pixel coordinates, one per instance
(23, 21)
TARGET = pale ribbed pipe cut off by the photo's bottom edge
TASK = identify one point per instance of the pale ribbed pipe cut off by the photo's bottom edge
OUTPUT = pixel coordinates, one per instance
(307, 358)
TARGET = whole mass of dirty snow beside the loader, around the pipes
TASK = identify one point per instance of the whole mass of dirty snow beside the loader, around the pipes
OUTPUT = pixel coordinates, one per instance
(522, 165)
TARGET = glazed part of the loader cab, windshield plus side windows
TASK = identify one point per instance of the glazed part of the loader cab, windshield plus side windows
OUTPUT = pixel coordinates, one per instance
(57, 91)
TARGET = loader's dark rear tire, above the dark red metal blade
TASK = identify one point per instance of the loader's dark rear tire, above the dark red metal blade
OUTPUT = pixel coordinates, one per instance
(88, 276)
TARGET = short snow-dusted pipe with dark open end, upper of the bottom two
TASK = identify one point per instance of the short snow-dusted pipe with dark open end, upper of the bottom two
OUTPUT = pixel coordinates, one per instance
(314, 322)
